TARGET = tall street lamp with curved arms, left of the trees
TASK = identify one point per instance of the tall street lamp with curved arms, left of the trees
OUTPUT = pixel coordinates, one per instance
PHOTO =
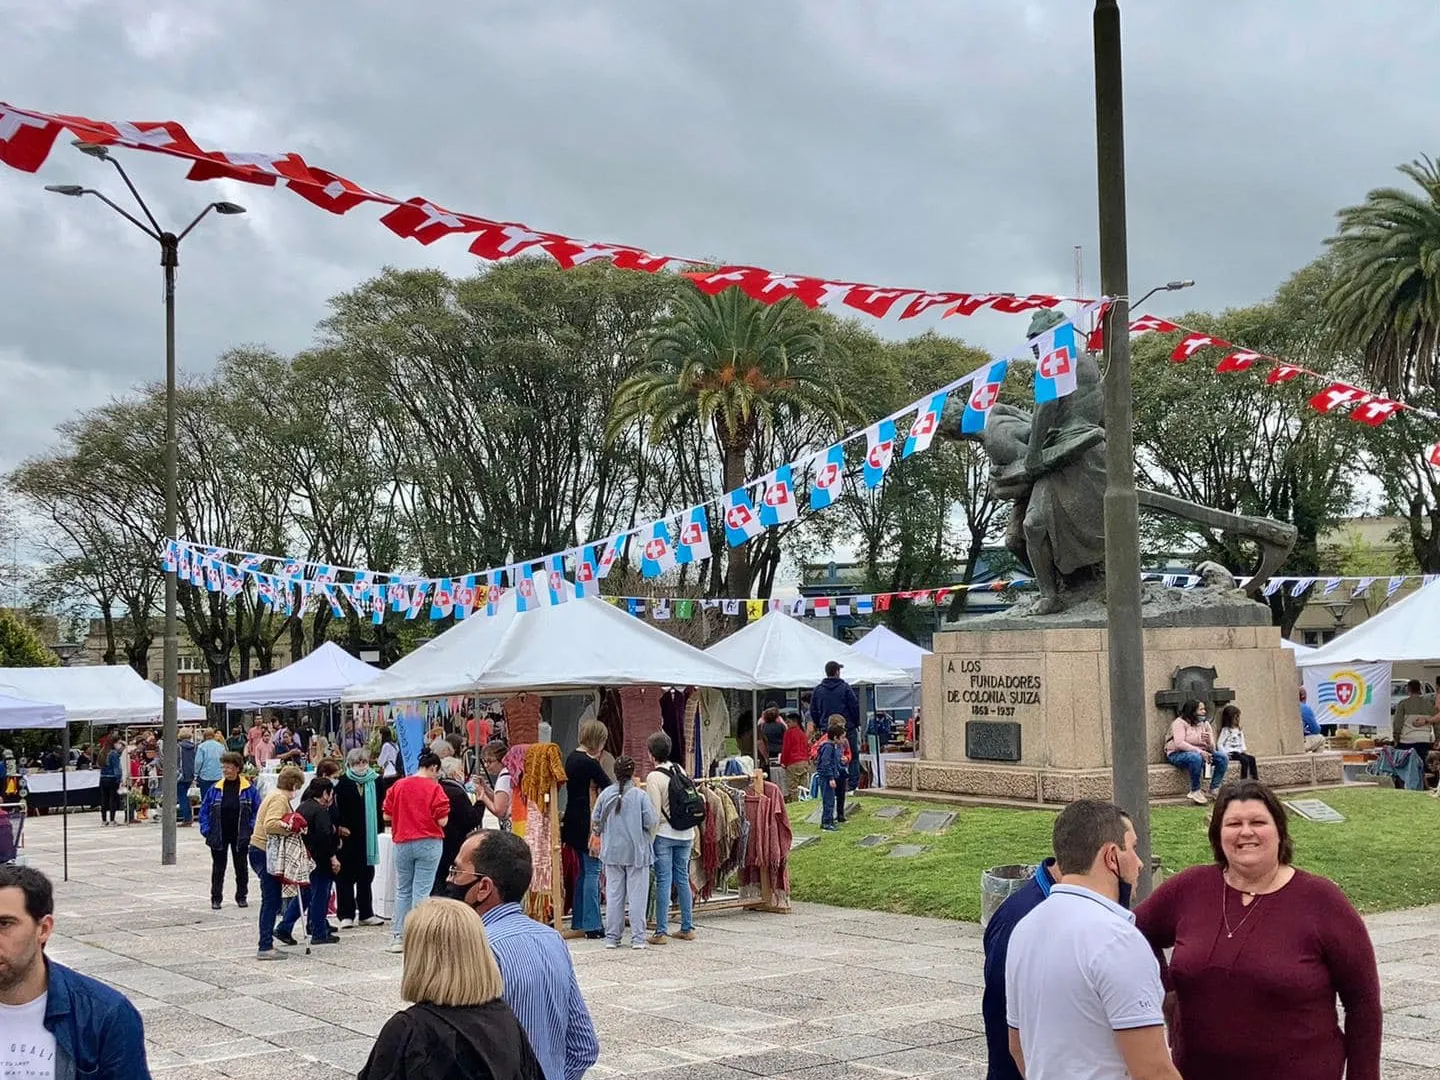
(169, 260)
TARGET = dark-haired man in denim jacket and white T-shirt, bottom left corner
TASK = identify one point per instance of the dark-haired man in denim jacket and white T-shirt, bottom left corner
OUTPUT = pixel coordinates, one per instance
(57, 1023)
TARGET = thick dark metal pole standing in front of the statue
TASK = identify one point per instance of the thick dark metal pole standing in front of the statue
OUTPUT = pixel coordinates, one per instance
(1130, 755)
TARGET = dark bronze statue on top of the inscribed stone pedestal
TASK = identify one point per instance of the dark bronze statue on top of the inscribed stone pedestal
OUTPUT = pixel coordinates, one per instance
(1052, 464)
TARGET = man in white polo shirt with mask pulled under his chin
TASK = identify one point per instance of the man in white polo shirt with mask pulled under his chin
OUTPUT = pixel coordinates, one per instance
(1084, 989)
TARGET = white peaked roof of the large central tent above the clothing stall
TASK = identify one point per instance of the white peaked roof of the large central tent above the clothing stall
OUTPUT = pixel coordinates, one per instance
(551, 650)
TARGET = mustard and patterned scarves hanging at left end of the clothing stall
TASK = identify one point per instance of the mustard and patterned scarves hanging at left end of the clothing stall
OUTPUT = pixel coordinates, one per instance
(536, 775)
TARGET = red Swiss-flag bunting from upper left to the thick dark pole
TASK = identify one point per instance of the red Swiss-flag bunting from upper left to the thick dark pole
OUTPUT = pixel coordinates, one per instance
(28, 136)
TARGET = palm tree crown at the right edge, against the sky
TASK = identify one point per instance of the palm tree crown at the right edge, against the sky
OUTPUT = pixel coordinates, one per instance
(1386, 299)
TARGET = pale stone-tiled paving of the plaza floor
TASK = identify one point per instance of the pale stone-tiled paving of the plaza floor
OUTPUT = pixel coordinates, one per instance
(823, 994)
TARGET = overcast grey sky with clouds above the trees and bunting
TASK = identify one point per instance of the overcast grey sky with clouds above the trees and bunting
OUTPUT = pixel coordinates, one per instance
(928, 143)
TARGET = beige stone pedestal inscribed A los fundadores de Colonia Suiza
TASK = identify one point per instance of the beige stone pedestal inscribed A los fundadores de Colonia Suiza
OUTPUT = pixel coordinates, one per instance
(1023, 714)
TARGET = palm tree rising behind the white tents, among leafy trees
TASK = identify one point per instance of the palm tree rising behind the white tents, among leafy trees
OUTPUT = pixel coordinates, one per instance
(737, 368)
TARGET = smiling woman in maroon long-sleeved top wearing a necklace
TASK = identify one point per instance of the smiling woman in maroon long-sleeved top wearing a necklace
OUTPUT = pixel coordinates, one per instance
(1262, 951)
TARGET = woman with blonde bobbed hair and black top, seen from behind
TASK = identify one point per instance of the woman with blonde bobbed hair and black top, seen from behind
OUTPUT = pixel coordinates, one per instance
(459, 1027)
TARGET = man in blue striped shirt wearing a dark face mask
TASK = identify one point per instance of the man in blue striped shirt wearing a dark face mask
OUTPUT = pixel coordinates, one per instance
(492, 875)
